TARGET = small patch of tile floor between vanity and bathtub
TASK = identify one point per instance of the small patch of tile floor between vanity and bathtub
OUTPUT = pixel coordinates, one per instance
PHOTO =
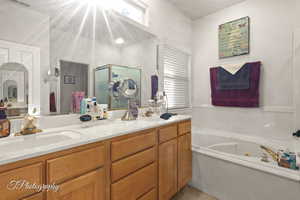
(189, 193)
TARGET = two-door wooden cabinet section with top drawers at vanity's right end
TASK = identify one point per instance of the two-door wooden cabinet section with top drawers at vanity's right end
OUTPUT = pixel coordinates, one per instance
(175, 158)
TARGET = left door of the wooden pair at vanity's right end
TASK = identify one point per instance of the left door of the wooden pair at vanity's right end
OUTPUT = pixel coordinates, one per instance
(167, 169)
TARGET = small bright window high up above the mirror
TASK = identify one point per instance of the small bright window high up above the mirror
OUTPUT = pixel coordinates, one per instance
(132, 9)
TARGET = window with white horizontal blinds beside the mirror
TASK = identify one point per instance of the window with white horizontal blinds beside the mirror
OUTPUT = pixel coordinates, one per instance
(176, 77)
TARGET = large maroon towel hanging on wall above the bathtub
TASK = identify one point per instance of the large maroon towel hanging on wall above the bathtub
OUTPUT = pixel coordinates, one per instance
(237, 98)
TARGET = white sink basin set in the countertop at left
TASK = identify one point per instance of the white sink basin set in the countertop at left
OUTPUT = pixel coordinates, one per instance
(23, 143)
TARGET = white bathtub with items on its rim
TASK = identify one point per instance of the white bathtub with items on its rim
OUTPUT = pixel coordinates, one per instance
(229, 167)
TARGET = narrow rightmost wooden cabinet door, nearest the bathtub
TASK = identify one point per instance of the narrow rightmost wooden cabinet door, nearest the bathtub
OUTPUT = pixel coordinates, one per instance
(184, 160)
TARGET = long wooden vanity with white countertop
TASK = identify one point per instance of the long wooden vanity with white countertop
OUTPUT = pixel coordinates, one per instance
(146, 160)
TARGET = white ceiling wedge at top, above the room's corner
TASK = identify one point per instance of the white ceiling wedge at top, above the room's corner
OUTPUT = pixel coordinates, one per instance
(199, 8)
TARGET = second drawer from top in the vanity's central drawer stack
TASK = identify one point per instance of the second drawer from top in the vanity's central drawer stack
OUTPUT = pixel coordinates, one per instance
(128, 165)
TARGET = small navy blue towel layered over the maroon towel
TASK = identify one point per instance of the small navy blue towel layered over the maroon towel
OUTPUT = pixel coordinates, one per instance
(238, 81)
